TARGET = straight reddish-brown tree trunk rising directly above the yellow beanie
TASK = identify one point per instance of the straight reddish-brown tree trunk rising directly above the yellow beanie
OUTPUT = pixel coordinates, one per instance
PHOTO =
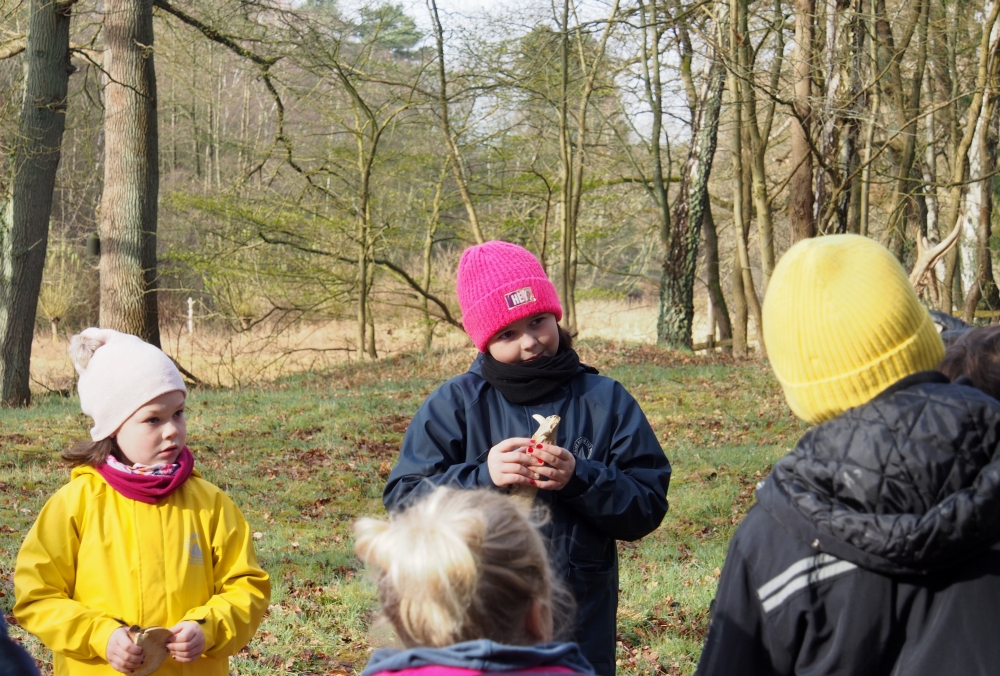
(800, 186)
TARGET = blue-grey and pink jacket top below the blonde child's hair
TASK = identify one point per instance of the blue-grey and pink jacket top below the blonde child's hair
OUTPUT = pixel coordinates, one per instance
(484, 657)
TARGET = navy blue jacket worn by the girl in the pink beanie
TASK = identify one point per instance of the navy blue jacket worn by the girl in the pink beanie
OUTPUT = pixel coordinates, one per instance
(618, 491)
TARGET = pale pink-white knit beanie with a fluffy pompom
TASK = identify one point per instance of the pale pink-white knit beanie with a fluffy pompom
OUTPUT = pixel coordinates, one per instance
(119, 373)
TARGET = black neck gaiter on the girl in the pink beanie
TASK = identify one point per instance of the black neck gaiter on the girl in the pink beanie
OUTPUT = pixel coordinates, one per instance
(525, 383)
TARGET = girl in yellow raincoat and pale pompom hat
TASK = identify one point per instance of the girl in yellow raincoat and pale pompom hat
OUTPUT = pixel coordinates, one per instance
(137, 537)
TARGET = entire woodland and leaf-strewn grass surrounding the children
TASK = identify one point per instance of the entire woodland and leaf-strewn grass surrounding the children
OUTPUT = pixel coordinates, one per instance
(265, 187)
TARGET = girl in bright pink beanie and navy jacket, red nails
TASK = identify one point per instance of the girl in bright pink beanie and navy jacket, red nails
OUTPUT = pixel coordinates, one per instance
(606, 479)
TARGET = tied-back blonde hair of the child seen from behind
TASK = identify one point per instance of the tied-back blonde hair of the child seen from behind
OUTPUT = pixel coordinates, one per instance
(460, 565)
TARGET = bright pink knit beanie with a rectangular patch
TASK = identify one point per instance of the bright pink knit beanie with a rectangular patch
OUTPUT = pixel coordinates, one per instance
(499, 283)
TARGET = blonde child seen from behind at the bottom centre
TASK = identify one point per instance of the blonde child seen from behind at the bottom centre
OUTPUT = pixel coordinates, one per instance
(465, 581)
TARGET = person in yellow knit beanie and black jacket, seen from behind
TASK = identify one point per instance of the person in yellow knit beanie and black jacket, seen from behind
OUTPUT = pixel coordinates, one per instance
(873, 546)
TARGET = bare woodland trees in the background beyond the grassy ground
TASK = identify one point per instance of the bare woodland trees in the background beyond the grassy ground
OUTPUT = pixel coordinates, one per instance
(285, 165)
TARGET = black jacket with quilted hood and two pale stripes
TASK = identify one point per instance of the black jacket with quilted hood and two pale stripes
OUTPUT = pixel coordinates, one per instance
(873, 549)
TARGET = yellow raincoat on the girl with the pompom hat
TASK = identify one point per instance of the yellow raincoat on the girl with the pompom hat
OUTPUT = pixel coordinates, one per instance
(94, 555)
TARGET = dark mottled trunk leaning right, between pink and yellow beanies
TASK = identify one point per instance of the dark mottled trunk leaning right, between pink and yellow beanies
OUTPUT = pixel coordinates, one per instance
(676, 311)
